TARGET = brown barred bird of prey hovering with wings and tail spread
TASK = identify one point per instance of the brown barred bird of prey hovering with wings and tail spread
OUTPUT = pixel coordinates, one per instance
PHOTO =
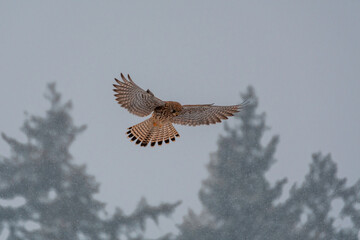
(159, 129)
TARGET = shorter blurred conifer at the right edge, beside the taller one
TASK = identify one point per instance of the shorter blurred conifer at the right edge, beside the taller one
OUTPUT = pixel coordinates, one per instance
(317, 195)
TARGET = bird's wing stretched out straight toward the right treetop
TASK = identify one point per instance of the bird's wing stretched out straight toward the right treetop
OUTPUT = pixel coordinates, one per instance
(194, 115)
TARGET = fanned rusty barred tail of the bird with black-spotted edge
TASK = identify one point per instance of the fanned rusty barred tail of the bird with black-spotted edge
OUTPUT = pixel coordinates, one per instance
(146, 132)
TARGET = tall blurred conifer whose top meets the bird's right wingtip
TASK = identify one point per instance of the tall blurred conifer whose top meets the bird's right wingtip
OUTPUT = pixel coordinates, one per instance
(238, 201)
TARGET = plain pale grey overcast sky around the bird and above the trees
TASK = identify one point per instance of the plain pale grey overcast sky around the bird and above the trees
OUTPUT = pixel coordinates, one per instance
(302, 57)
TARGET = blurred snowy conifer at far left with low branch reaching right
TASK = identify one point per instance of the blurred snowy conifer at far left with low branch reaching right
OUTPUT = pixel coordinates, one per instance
(59, 195)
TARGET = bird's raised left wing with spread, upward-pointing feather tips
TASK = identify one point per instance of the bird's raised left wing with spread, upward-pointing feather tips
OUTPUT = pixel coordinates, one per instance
(134, 99)
